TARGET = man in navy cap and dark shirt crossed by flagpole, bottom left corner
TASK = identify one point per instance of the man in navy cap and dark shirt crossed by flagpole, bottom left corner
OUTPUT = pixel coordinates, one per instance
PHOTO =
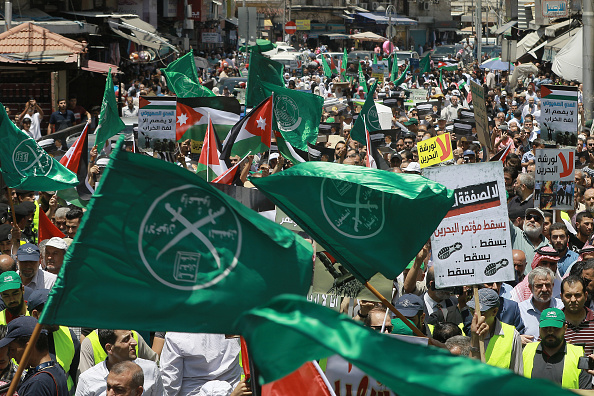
(45, 377)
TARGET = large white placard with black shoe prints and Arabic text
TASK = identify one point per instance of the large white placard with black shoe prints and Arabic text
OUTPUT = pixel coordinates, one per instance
(472, 243)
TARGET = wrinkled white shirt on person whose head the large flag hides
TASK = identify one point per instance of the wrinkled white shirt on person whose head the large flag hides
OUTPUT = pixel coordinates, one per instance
(188, 361)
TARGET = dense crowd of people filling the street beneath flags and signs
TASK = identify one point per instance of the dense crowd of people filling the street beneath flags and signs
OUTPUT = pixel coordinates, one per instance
(540, 324)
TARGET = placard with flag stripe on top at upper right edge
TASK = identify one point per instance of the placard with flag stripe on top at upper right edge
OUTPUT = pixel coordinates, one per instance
(559, 108)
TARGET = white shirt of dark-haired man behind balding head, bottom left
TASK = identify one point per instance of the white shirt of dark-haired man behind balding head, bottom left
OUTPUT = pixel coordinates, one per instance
(93, 381)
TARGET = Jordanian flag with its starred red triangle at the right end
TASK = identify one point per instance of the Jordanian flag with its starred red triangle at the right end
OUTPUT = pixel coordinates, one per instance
(252, 134)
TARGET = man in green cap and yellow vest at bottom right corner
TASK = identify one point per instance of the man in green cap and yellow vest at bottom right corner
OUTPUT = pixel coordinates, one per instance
(553, 358)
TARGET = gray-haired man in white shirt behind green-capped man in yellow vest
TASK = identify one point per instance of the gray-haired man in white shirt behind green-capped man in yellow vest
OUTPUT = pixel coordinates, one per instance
(540, 280)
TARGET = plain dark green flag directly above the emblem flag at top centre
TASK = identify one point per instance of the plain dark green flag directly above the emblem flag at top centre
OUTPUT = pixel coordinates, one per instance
(262, 69)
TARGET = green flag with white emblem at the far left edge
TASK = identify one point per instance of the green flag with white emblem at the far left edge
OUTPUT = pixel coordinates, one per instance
(27, 166)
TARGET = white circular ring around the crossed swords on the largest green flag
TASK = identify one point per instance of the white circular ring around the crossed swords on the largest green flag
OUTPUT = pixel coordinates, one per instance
(208, 284)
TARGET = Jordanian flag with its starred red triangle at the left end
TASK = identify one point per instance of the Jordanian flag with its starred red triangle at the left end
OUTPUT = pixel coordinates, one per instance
(192, 116)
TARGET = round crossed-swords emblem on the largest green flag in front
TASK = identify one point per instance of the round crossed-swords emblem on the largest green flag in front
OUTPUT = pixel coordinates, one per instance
(189, 239)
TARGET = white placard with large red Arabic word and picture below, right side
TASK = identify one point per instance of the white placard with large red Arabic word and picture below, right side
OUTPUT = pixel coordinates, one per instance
(554, 179)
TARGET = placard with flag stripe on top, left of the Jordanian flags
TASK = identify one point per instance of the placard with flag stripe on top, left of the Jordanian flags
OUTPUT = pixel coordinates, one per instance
(156, 123)
